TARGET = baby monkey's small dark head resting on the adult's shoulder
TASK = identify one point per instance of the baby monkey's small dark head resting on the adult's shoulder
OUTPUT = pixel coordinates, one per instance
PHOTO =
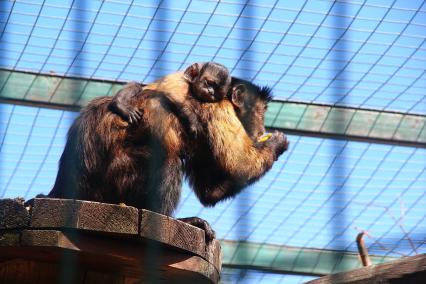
(209, 82)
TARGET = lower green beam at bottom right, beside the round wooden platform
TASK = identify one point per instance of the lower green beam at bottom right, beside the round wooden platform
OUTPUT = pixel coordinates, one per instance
(295, 260)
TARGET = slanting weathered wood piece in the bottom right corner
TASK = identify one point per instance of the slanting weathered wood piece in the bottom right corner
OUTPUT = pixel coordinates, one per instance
(405, 270)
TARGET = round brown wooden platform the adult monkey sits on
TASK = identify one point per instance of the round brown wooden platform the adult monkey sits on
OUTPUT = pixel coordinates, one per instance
(73, 241)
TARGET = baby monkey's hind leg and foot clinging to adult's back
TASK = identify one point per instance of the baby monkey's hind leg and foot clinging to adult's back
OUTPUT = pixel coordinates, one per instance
(123, 103)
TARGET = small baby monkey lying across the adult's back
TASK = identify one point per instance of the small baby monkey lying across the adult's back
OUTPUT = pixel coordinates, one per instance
(205, 82)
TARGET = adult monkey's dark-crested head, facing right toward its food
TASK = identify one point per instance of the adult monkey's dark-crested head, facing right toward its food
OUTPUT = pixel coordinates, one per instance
(250, 103)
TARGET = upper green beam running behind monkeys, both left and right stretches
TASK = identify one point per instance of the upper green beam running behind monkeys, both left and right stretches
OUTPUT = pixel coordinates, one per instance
(293, 117)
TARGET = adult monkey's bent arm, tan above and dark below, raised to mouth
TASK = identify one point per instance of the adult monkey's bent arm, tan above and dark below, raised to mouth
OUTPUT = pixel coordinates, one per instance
(235, 161)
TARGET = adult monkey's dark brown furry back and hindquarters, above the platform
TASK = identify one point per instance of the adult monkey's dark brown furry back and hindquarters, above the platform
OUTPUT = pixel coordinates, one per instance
(107, 160)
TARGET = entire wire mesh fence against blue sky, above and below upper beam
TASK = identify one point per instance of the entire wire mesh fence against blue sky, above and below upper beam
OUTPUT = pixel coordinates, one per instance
(324, 191)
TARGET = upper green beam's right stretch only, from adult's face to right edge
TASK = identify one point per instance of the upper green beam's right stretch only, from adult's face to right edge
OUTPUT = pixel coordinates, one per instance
(348, 123)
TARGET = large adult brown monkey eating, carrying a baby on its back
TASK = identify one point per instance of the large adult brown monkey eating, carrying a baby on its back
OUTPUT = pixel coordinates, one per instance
(143, 165)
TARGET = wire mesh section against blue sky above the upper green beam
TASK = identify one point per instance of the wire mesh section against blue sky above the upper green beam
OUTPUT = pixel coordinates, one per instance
(292, 47)
